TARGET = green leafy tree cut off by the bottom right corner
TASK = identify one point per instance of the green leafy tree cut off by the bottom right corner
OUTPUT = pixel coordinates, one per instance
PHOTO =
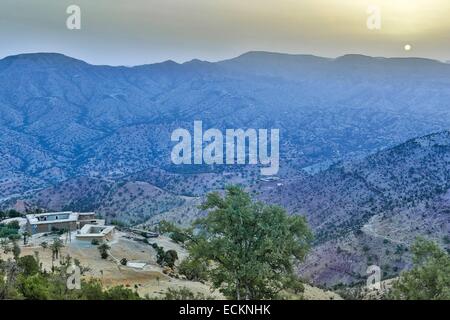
(430, 277)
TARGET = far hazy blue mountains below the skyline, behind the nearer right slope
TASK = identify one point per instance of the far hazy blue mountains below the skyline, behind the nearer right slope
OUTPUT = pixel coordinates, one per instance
(61, 118)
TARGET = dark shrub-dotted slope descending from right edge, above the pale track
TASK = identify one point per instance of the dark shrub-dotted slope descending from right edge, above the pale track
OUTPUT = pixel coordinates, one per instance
(405, 175)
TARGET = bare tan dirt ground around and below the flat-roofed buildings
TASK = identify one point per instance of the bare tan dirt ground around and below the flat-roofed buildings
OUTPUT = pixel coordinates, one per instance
(149, 281)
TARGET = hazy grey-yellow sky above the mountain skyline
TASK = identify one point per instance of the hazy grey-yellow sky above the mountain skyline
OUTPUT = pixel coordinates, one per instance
(131, 32)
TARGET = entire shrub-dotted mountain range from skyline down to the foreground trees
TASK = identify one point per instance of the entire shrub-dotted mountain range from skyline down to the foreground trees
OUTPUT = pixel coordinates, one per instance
(364, 149)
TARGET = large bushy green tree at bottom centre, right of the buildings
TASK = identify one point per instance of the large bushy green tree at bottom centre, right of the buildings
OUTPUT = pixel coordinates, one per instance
(250, 248)
